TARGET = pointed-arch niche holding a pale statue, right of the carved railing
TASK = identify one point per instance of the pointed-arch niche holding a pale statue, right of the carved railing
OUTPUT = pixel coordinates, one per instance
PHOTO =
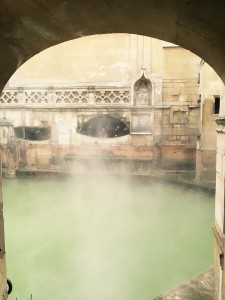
(143, 92)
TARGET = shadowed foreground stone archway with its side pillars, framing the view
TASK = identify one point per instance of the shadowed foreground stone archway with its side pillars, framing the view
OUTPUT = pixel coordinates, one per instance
(32, 26)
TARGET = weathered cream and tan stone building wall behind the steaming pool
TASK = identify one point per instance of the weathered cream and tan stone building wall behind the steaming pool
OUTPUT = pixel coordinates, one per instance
(142, 105)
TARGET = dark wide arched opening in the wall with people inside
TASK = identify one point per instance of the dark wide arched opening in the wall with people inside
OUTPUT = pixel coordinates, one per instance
(104, 126)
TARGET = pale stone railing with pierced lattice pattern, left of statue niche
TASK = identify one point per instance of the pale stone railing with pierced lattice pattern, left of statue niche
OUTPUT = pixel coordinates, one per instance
(66, 97)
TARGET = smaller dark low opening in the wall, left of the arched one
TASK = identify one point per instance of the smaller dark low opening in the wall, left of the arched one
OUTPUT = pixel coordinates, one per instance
(33, 133)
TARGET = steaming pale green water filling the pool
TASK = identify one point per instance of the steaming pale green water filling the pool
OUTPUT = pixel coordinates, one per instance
(104, 239)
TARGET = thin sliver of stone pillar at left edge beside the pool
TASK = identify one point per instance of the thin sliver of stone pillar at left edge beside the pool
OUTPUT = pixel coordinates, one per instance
(3, 283)
